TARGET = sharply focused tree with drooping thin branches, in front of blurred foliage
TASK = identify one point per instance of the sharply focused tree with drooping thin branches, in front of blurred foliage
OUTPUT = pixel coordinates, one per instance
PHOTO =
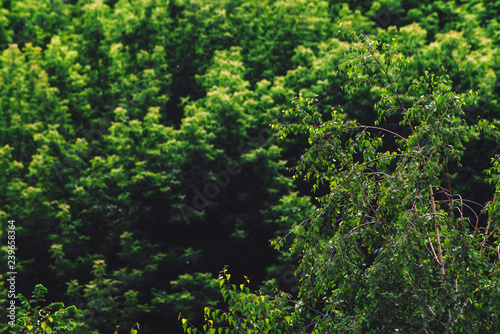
(392, 247)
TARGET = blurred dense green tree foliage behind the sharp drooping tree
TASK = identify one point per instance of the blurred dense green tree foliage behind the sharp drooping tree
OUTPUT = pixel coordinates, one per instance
(116, 115)
